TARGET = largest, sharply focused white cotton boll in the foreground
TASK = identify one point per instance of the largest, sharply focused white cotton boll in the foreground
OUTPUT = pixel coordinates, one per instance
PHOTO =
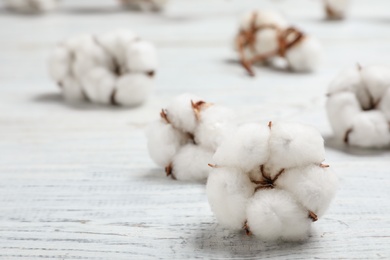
(271, 180)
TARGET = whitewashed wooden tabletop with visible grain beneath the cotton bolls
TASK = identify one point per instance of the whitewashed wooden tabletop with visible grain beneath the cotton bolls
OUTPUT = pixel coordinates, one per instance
(76, 182)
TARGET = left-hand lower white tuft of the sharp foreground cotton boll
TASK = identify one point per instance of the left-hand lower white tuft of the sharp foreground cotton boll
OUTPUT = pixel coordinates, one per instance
(228, 191)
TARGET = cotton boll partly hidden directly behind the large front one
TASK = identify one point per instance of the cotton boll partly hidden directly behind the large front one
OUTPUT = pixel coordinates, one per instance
(185, 137)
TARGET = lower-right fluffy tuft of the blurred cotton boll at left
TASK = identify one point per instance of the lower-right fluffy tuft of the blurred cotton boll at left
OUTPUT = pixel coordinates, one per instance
(133, 89)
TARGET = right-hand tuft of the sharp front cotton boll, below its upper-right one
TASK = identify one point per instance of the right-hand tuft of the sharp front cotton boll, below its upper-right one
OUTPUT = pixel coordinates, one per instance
(313, 186)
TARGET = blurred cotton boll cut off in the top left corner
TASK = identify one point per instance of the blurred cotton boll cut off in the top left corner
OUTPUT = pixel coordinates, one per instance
(31, 6)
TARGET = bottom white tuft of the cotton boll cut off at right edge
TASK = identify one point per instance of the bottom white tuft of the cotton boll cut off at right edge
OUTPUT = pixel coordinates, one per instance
(369, 129)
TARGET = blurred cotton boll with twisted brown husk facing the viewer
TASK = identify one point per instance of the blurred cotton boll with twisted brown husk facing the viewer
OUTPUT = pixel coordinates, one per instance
(264, 35)
